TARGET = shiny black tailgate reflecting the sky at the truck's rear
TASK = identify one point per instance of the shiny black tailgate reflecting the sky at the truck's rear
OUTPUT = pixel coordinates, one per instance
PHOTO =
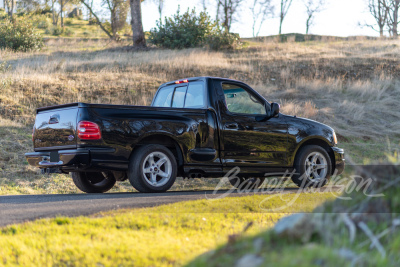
(55, 128)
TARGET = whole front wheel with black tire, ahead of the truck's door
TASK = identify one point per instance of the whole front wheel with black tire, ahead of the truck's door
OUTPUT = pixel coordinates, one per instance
(317, 177)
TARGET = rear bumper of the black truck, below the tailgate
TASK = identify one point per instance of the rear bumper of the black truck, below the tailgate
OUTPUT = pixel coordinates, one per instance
(71, 159)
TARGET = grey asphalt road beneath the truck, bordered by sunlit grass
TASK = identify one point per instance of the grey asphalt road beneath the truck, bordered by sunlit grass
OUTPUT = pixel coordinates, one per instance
(18, 209)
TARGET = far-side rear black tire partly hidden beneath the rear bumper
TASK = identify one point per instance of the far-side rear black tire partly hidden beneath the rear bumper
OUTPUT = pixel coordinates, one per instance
(93, 182)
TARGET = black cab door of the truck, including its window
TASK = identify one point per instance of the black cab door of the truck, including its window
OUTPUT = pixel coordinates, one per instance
(247, 141)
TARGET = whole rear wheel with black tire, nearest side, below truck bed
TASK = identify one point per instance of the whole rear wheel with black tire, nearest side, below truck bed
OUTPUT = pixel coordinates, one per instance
(140, 161)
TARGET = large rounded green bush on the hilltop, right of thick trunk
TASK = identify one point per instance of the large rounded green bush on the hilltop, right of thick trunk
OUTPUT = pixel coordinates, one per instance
(192, 30)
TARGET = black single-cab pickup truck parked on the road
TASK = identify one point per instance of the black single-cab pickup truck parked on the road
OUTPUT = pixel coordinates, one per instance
(196, 127)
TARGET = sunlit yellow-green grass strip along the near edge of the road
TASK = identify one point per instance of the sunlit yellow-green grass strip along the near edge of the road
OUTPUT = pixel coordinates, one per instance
(168, 235)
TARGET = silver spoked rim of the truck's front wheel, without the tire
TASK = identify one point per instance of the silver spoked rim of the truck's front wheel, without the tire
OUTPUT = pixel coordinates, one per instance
(316, 166)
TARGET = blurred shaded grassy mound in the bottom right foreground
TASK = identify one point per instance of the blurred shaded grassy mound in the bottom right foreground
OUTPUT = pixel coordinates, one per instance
(323, 238)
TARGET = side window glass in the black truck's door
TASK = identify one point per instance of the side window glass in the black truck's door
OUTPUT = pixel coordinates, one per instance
(238, 100)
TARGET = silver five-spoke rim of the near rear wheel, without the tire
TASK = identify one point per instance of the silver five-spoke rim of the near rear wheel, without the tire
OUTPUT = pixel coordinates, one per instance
(157, 169)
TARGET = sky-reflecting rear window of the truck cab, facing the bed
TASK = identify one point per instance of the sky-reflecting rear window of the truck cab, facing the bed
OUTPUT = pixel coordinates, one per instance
(190, 95)
